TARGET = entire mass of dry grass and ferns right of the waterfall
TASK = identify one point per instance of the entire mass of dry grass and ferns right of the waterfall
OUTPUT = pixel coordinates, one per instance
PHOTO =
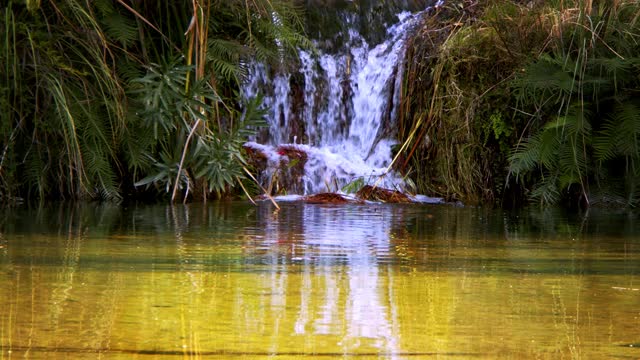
(525, 100)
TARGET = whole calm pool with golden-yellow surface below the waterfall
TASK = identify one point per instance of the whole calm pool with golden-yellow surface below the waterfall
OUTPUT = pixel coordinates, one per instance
(233, 281)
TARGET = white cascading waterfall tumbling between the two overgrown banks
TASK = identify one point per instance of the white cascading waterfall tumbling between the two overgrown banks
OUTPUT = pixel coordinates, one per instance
(349, 101)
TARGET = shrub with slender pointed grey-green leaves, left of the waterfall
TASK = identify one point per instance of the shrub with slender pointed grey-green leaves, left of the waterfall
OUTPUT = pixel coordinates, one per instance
(216, 159)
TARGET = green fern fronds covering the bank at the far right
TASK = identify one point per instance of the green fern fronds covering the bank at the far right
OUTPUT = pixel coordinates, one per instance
(582, 97)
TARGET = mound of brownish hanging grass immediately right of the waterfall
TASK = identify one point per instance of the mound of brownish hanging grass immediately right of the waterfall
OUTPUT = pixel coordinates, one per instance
(457, 120)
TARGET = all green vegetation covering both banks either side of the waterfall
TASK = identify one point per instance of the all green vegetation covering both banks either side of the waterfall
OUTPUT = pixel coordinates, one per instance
(503, 101)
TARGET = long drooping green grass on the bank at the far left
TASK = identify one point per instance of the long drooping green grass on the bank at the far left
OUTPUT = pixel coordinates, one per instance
(62, 109)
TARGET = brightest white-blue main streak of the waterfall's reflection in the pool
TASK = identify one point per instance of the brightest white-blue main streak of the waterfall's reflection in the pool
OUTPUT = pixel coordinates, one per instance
(336, 237)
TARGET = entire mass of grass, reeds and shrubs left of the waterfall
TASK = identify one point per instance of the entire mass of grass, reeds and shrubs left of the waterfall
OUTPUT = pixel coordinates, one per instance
(98, 96)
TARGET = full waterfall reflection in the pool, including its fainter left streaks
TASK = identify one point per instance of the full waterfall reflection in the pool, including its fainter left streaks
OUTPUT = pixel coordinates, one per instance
(344, 290)
